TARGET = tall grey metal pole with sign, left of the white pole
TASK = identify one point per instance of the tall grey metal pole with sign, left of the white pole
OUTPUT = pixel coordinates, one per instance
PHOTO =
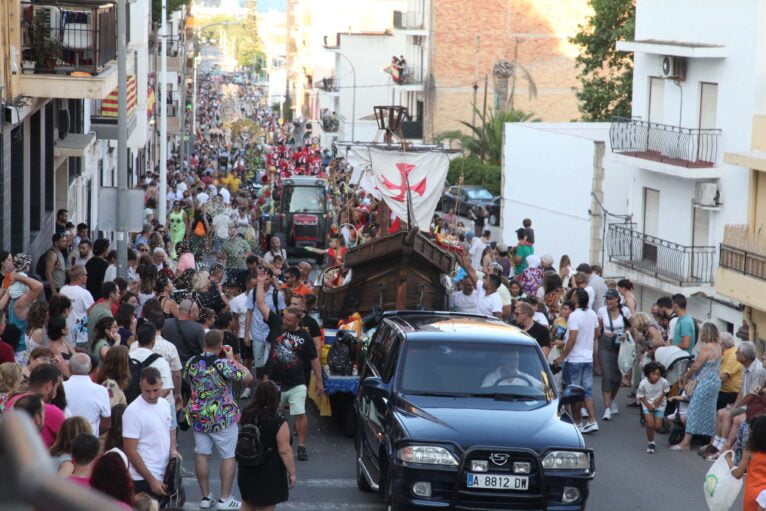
(122, 140)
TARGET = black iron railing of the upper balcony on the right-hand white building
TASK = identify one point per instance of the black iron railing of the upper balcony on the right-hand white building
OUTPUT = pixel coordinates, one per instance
(674, 145)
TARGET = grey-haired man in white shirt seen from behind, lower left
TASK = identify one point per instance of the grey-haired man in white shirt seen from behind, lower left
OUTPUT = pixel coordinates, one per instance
(85, 398)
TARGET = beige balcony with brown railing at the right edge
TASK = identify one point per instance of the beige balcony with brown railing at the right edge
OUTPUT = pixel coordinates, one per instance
(741, 271)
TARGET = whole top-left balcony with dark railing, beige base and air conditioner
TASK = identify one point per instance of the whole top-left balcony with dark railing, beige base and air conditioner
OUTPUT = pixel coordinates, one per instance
(68, 49)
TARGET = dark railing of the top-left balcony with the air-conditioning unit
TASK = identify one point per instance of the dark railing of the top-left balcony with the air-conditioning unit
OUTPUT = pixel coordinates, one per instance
(65, 37)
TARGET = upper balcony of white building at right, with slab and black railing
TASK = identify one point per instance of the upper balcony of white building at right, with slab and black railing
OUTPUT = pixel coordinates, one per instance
(673, 150)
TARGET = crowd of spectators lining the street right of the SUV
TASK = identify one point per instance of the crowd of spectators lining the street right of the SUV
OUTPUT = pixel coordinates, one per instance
(580, 320)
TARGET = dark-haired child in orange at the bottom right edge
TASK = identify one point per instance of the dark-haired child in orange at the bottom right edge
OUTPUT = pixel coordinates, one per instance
(754, 462)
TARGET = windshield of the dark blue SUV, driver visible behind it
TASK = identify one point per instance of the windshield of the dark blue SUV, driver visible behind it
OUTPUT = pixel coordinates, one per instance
(475, 369)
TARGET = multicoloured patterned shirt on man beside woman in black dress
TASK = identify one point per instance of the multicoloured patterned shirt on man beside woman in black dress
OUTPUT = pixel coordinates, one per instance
(212, 407)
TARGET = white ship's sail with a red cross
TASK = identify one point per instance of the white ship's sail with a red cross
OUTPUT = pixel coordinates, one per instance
(410, 180)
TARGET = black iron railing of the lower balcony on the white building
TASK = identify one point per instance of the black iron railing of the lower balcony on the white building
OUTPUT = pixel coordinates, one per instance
(665, 260)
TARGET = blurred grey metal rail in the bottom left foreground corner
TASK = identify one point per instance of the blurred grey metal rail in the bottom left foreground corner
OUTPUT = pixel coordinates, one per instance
(27, 476)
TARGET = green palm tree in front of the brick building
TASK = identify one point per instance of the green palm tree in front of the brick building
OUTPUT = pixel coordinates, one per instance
(485, 140)
